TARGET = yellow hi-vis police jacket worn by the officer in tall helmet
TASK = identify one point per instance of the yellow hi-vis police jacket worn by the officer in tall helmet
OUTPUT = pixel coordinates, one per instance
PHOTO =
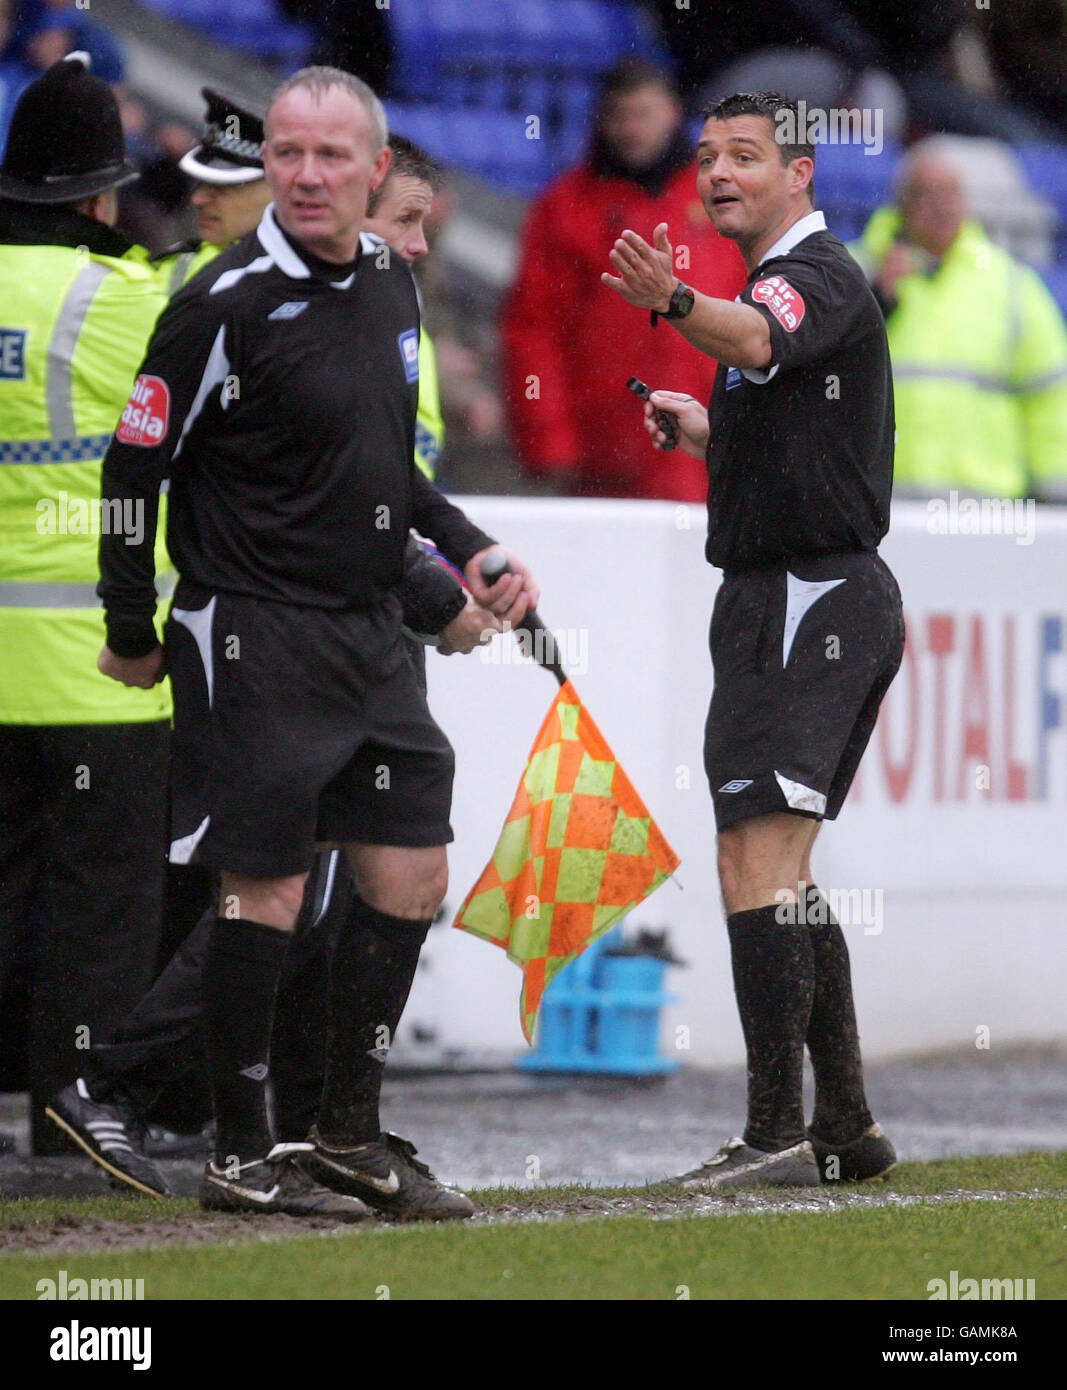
(74, 326)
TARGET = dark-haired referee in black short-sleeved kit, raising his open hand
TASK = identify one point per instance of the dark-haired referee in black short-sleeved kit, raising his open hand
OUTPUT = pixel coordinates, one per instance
(808, 629)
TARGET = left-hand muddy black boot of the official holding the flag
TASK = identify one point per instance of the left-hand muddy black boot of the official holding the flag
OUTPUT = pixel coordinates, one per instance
(273, 1185)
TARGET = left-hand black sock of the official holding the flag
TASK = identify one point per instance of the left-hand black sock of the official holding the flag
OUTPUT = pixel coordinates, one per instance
(241, 979)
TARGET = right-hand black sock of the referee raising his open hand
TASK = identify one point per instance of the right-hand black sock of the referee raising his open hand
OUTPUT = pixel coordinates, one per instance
(833, 1038)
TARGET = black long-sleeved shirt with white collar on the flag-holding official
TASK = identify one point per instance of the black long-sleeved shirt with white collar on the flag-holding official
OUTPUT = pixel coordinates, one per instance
(281, 404)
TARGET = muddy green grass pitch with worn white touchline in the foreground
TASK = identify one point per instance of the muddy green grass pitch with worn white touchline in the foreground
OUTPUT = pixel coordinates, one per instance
(991, 1217)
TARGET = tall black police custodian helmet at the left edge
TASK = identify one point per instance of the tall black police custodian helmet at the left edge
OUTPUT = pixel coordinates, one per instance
(66, 141)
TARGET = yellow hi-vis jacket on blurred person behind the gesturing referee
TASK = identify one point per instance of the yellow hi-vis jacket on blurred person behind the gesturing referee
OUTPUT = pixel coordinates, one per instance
(980, 370)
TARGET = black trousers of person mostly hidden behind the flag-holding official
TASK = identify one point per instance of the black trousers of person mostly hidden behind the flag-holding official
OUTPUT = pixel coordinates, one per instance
(156, 1057)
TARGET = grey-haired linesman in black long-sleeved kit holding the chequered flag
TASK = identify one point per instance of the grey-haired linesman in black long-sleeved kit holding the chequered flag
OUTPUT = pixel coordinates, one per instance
(280, 395)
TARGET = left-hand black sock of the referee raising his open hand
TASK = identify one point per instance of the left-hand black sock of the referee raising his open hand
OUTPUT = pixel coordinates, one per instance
(775, 983)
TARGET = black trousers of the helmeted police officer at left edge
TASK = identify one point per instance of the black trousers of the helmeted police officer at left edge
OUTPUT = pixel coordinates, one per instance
(83, 836)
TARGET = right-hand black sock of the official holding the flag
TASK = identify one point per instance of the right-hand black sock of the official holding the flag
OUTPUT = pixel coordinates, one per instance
(372, 974)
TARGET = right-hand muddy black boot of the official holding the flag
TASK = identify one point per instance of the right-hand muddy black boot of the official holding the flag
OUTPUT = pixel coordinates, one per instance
(388, 1177)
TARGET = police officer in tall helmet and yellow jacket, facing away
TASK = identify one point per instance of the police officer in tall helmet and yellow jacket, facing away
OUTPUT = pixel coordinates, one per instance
(83, 761)
